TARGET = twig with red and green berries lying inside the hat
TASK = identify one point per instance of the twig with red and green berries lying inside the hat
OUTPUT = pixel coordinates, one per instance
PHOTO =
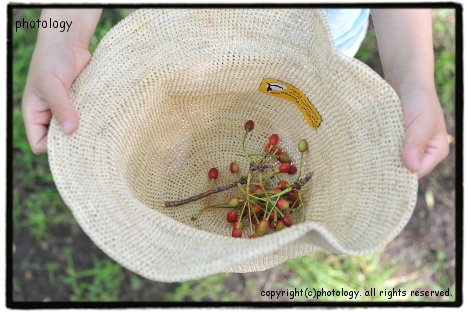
(263, 206)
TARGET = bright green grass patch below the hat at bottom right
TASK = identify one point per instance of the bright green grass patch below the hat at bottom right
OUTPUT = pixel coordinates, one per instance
(325, 271)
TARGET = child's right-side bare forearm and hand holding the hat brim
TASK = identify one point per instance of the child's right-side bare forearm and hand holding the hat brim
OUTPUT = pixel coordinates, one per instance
(404, 37)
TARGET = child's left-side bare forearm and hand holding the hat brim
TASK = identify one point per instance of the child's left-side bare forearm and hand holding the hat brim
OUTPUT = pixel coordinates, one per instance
(57, 60)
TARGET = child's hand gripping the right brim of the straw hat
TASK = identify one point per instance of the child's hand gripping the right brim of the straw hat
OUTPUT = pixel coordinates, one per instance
(425, 143)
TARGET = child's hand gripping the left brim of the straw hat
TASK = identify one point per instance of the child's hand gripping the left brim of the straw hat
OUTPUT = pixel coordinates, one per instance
(52, 71)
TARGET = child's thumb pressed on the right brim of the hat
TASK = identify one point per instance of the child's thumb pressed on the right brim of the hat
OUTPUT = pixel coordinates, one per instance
(414, 147)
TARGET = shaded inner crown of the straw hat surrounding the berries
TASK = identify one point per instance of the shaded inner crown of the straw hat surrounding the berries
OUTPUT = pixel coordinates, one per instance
(187, 135)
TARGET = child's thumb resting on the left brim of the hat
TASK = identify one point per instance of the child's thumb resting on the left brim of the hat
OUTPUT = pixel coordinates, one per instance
(56, 95)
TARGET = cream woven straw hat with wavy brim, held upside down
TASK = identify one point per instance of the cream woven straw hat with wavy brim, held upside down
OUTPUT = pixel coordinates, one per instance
(165, 97)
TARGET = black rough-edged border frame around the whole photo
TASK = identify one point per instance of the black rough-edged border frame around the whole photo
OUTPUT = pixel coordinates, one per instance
(458, 163)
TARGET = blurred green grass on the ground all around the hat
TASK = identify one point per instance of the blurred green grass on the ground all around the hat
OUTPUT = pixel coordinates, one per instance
(38, 208)
